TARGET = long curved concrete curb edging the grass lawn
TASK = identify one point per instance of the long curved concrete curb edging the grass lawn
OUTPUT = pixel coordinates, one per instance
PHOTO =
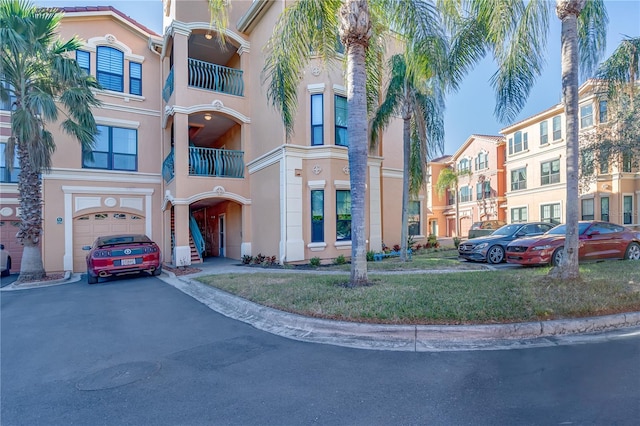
(414, 338)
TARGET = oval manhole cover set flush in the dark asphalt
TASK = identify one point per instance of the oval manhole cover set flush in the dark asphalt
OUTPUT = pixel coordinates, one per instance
(118, 375)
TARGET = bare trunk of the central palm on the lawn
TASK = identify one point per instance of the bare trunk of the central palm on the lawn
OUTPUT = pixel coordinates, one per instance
(355, 31)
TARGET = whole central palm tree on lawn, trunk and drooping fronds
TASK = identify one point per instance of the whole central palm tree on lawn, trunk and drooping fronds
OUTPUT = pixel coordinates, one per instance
(317, 24)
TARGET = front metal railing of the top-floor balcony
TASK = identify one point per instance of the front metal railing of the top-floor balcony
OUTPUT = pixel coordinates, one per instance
(214, 77)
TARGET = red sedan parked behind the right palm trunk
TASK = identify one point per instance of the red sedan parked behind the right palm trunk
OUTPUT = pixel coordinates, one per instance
(597, 240)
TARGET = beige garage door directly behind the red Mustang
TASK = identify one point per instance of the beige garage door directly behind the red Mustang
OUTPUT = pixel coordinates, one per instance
(89, 227)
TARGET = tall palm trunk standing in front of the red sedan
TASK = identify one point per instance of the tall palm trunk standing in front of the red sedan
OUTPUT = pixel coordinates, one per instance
(568, 11)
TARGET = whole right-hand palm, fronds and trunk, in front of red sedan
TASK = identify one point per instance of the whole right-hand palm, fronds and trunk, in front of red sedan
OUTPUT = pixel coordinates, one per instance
(515, 32)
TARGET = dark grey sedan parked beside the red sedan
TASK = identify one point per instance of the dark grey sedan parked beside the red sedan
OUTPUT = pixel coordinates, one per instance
(491, 248)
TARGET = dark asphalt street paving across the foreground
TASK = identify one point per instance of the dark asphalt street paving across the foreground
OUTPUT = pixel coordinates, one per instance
(137, 351)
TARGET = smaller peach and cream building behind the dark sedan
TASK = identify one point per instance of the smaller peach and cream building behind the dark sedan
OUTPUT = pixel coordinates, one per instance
(479, 163)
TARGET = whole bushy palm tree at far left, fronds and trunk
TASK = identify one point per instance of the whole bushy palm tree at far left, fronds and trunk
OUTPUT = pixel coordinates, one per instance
(37, 72)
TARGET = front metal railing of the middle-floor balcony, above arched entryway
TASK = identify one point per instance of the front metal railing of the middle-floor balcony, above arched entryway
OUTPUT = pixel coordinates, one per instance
(216, 162)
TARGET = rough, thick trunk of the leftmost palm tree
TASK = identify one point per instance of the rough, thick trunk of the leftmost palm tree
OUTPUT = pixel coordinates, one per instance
(29, 188)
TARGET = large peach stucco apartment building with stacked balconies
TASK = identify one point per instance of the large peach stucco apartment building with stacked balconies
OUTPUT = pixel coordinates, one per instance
(191, 154)
